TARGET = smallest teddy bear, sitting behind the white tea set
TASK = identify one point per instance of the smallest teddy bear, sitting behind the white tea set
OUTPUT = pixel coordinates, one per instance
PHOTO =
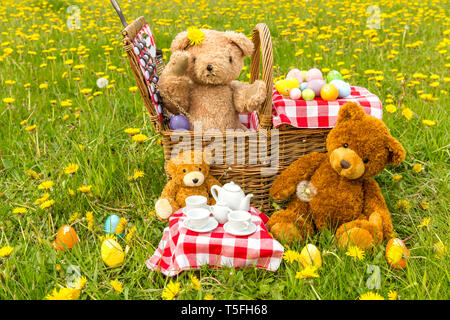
(189, 173)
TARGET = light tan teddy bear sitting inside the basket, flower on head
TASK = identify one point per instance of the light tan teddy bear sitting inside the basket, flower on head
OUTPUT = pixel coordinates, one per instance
(200, 78)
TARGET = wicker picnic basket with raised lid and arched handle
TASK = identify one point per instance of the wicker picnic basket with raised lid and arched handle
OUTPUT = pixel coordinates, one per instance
(255, 178)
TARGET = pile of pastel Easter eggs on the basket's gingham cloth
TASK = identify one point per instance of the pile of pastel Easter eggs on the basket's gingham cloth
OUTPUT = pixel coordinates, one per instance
(311, 84)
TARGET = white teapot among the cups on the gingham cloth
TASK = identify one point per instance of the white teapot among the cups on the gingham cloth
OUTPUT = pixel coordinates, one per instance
(232, 195)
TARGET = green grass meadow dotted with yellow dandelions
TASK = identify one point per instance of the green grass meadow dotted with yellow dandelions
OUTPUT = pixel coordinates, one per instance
(108, 156)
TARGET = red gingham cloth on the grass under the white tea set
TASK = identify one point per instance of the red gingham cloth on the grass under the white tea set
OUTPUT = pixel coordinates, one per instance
(181, 249)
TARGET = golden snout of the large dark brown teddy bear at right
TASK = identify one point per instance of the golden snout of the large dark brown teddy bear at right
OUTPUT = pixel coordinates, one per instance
(347, 163)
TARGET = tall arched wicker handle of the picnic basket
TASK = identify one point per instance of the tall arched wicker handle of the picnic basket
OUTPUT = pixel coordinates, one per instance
(263, 44)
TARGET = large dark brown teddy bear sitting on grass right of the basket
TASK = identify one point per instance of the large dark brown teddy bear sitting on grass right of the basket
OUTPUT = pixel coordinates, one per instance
(337, 188)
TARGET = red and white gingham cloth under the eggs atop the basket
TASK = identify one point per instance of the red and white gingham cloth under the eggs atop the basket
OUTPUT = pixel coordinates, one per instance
(319, 113)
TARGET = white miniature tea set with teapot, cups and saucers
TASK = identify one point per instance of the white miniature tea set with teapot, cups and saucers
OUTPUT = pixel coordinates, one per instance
(231, 210)
